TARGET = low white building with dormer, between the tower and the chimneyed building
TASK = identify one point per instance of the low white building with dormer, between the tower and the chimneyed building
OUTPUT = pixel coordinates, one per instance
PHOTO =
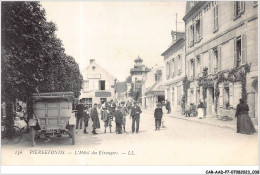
(153, 88)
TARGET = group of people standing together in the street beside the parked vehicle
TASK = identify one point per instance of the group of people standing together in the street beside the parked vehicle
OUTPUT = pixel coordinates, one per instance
(109, 111)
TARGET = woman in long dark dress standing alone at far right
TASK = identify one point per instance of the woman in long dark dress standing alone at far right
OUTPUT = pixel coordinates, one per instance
(244, 123)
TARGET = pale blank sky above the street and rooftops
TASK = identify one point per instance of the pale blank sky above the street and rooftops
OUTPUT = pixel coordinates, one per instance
(115, 33)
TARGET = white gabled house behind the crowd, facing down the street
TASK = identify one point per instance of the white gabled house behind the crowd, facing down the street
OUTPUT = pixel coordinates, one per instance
(98, 85)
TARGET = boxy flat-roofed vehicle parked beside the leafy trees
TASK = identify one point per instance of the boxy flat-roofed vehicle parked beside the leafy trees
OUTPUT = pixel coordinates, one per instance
(53, 116)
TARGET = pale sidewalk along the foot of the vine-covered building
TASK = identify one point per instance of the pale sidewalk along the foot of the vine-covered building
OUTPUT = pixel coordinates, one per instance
(207, 120)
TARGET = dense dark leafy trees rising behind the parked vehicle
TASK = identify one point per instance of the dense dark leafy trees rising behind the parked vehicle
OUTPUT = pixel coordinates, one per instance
(33, 58)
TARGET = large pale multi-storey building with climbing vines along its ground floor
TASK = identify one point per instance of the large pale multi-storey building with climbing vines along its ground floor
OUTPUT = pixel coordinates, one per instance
(221, 40)
